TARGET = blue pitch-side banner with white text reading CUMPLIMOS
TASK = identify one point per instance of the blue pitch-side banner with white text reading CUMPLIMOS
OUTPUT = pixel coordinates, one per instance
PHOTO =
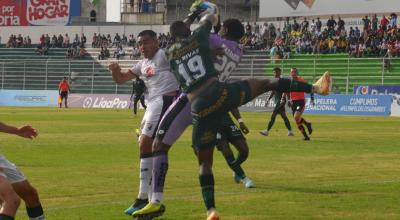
(373, 105)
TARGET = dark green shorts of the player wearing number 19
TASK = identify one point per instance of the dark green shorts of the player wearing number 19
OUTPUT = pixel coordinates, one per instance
(210, 106)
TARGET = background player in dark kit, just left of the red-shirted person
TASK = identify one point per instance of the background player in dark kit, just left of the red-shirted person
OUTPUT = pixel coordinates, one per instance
(280, 101)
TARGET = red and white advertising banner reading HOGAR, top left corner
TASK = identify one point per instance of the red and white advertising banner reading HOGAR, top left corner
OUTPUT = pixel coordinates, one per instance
(34, 12)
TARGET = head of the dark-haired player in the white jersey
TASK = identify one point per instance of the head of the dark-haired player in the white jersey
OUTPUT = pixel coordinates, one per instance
(148, 43)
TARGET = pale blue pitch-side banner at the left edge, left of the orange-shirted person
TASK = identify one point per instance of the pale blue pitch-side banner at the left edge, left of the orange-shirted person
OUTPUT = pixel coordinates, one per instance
(28, 98)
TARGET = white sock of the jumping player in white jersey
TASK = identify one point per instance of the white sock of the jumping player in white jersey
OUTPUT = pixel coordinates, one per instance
(146, 168)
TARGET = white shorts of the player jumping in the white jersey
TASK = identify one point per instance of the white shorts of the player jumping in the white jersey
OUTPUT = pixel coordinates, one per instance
(154, 112)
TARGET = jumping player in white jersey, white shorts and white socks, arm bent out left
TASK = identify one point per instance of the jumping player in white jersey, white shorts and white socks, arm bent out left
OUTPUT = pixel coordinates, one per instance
(162, 88)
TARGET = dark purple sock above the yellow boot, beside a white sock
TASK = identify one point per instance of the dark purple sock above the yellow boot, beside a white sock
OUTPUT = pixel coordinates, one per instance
(160, 169)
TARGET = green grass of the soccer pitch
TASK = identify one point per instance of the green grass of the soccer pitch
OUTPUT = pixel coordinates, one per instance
(85, 166)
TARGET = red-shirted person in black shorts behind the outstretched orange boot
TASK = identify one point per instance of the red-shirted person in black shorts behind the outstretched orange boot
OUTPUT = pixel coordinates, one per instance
(298, 104)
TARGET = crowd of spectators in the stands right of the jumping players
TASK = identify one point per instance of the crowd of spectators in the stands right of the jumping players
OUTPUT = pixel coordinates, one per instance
(377, 37)
